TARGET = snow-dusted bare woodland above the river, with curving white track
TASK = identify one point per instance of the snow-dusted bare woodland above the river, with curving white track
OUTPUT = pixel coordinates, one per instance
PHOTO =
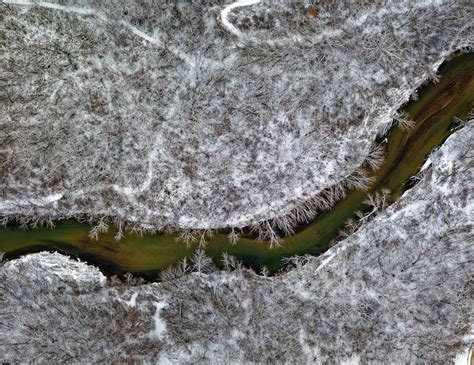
(193, 115)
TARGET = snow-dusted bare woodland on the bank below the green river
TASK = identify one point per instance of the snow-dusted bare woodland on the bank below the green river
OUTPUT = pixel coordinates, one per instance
(399, 290)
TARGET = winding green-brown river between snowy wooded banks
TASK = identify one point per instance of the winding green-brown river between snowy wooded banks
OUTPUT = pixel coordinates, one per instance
(434, 113)
